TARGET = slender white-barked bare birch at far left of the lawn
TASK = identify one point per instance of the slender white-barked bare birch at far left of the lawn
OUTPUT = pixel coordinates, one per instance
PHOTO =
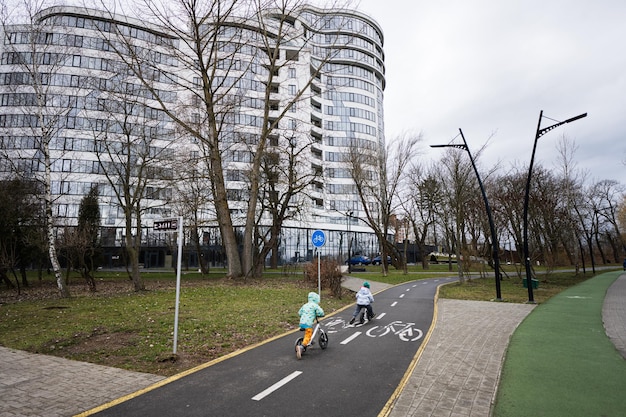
(38, 66)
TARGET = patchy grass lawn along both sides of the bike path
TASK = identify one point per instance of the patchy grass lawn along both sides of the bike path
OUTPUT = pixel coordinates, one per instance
(117, 326)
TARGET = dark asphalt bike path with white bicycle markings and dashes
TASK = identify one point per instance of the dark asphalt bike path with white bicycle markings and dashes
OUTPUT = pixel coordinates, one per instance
(356, 375)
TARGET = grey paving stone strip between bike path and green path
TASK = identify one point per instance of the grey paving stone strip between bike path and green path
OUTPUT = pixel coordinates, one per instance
(457, 373)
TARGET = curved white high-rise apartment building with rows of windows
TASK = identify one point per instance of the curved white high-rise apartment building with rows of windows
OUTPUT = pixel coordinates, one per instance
(98, 121)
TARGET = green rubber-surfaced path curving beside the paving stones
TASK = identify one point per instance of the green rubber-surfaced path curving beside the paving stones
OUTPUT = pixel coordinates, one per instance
(560, 362)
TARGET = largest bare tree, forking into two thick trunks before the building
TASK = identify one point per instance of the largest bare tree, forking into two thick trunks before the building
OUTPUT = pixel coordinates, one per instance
(234, 53)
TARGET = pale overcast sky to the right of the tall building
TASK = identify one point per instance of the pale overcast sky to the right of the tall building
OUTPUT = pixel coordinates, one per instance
(490, 66)
